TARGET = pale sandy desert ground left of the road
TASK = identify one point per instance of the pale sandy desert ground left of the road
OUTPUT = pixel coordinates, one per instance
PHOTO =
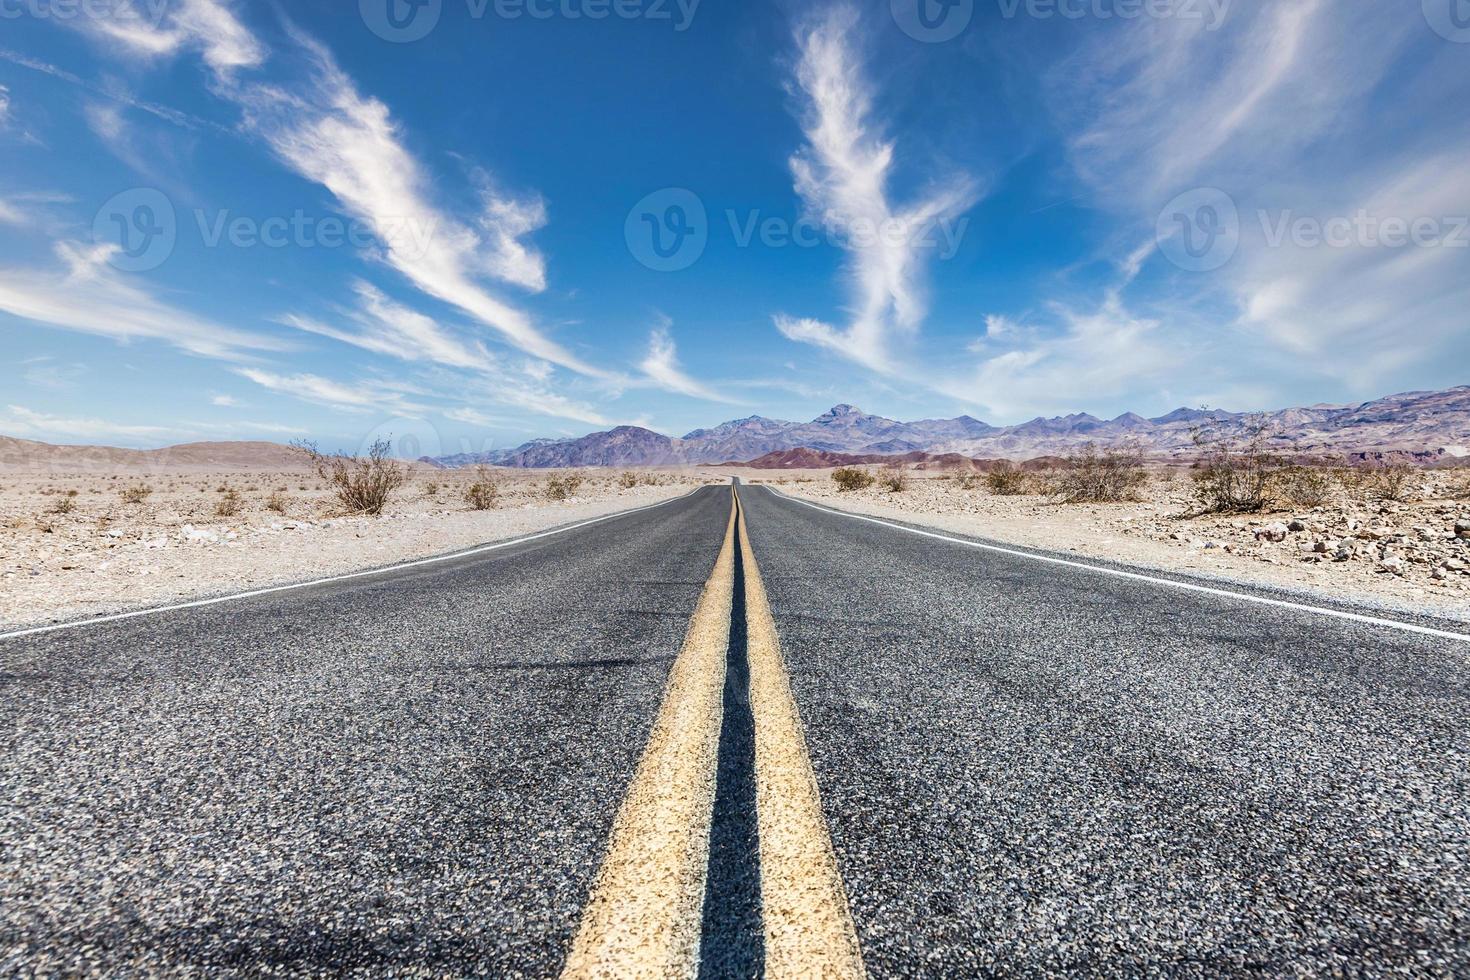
(108, 555)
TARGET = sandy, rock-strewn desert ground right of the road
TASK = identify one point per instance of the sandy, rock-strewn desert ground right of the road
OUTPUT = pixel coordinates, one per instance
(1403, 558)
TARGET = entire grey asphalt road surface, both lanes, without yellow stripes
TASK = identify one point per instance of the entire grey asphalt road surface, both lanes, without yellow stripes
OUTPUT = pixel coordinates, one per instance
(1025, 769)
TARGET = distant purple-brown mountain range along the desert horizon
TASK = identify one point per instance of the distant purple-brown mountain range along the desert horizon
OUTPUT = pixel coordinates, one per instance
(1428, 424)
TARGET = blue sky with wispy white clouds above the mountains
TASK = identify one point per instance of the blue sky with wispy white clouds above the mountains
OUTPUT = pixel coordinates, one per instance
(476, 223)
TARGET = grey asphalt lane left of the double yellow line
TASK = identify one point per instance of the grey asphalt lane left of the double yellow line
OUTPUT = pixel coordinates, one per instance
(415, 772)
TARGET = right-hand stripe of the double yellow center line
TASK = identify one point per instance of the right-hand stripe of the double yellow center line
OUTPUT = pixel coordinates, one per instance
(808, 922)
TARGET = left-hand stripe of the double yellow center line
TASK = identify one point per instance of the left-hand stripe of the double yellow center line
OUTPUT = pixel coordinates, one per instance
(645, 913)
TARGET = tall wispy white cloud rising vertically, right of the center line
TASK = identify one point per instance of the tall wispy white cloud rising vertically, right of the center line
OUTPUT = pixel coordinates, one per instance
(843, 177)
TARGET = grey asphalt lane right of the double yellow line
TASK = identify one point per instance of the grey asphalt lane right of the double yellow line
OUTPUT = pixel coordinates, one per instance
(1031, 769)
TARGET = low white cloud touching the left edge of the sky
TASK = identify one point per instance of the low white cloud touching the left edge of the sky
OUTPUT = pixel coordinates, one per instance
(87, 296)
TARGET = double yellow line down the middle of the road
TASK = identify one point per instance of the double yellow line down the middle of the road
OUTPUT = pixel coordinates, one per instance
(645, 913)
